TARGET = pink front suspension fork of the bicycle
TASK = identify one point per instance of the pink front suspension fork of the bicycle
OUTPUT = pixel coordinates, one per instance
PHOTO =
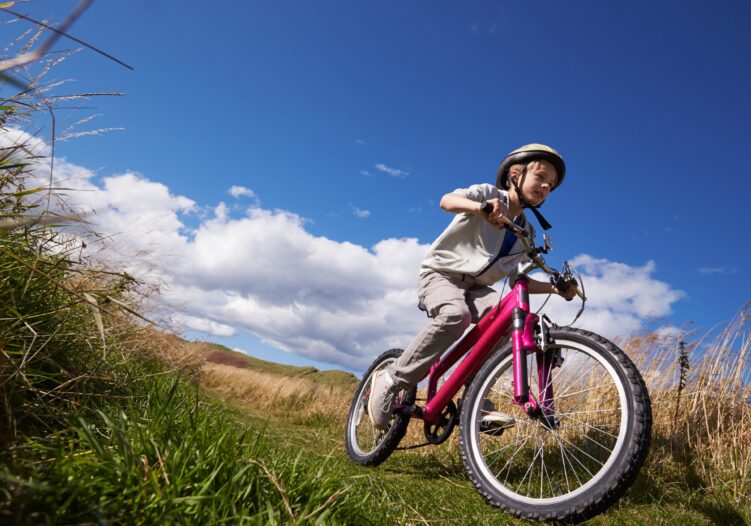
(523, 342)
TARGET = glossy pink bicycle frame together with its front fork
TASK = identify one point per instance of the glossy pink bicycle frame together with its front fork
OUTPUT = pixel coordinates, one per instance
(512, 312)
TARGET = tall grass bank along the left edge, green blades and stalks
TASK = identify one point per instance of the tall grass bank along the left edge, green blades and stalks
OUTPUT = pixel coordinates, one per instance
(101, 419)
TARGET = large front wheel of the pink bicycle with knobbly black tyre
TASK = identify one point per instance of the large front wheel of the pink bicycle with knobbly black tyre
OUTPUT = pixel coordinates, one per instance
(576, 467)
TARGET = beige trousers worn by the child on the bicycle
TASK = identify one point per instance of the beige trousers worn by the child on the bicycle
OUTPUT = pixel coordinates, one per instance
(453, 304)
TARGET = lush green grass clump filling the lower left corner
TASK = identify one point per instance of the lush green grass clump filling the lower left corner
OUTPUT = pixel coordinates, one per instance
(167, 455)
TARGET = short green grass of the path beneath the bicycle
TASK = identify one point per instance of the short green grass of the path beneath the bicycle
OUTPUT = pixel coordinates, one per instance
(429, 485)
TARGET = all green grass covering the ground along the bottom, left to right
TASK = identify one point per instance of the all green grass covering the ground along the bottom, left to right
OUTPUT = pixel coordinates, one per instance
(167, 454)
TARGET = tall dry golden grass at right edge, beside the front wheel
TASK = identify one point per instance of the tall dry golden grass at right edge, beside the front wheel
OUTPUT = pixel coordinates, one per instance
(702, 405)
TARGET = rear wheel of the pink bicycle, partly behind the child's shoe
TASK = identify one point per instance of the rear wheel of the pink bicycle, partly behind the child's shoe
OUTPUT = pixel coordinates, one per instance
(366, 444)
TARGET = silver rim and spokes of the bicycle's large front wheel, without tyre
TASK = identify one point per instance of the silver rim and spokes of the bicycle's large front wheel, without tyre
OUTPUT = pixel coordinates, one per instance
(530, 463)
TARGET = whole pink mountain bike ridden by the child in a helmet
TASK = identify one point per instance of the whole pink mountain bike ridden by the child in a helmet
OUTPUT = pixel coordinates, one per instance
(562, 444)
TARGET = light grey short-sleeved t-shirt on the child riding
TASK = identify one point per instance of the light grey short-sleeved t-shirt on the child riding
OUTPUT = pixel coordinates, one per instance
(470, 244)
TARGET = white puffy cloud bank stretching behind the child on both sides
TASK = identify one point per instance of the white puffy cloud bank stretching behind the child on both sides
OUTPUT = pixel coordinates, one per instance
(263, 273)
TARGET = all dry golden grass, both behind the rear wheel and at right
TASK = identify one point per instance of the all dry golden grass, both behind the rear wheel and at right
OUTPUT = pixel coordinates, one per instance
(701, 405)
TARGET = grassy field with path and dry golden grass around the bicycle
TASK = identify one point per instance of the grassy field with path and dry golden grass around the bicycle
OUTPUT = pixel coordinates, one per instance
(697, 472)
